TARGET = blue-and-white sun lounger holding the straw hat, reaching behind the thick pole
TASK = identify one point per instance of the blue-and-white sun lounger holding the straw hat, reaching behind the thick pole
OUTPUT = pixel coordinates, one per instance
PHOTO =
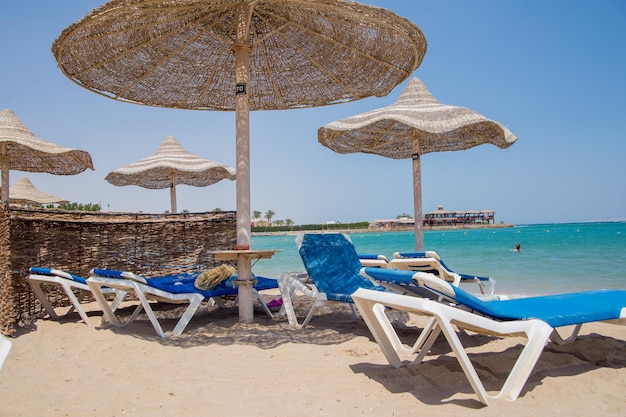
(174, 289)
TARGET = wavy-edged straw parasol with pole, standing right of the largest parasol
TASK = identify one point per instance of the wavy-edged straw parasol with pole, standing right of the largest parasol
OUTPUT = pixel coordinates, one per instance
(414, 125)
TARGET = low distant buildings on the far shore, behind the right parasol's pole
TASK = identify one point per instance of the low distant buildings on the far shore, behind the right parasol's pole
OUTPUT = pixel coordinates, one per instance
(439, 218)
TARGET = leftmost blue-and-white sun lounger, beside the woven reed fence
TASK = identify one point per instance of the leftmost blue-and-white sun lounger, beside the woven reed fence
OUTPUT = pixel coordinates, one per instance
(40, 277)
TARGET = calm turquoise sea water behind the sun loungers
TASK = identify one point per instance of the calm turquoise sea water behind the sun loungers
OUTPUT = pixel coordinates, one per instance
(553, 258)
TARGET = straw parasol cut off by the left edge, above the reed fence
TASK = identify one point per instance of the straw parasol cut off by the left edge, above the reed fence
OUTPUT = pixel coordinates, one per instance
(21, 150)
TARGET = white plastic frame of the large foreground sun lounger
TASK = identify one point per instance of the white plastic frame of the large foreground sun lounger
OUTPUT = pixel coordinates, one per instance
(444, 319)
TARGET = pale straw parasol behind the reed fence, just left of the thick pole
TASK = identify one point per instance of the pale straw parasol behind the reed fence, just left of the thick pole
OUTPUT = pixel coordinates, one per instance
(169, 166)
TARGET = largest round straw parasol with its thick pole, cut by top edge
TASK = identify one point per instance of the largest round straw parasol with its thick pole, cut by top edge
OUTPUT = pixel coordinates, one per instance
(240, 55)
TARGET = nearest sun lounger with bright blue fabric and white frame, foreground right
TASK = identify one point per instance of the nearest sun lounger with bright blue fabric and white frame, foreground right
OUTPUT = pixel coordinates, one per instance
(535, 317)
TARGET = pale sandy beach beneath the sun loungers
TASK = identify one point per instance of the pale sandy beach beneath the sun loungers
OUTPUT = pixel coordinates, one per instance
(333, 367)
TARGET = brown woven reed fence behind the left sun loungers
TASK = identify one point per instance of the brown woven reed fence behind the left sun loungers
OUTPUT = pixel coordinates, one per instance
(148, 244)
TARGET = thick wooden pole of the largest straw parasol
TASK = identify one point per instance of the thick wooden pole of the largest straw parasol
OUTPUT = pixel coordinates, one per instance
(242, 49)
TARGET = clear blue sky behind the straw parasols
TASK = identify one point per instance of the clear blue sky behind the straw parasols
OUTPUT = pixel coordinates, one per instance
(553, 72)
